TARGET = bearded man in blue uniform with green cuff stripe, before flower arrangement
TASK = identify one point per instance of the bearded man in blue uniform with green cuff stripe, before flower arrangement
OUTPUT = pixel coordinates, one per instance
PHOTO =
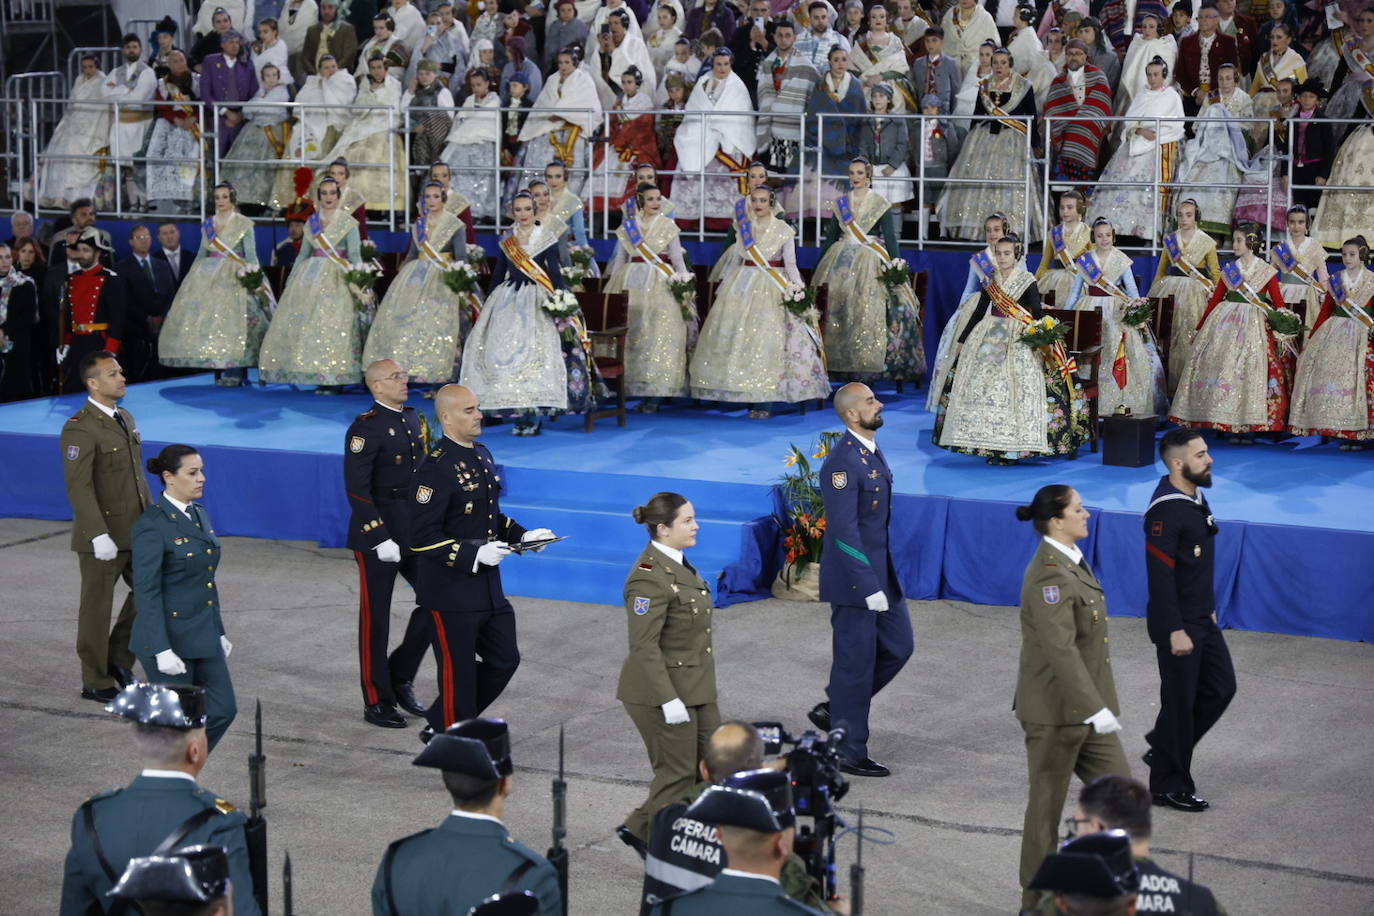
(870, 627)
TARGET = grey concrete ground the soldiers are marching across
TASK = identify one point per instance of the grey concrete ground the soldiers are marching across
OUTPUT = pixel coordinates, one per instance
(1288, 771)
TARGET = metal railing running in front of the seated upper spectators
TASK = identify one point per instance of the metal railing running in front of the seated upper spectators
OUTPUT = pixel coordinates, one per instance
(34, 105)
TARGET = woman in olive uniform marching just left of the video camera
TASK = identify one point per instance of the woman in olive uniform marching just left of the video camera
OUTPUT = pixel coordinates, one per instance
(668, 680)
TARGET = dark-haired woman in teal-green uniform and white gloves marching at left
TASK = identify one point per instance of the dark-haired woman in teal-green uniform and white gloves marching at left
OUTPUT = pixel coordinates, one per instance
(179, 634)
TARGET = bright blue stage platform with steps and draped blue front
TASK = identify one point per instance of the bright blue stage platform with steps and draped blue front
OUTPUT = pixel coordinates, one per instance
(1298, 518)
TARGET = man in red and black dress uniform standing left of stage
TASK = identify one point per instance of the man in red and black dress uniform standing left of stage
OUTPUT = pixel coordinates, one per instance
(93, 310)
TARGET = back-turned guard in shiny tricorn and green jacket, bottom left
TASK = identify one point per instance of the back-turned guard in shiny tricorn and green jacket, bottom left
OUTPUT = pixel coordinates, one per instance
(163, 804)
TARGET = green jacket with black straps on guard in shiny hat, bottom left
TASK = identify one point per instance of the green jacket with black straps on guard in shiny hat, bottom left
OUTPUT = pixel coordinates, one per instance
(134, 822)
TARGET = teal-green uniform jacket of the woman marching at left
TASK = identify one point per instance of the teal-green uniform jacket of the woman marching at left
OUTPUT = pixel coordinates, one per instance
(174, 584)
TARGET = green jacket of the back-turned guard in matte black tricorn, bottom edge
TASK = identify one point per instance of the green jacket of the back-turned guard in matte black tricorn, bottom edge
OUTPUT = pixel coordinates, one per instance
(457, 866)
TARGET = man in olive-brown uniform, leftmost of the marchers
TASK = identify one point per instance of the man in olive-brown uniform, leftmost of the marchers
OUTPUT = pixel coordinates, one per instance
(102, 466)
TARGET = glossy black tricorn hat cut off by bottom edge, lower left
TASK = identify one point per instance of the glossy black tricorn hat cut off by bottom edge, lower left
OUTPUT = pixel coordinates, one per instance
(188, 882)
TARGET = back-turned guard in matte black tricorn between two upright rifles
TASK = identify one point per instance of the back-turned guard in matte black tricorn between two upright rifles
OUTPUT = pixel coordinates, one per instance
(469, 858)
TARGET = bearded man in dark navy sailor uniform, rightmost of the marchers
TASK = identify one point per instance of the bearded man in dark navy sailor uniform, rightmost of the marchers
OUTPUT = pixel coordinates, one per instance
(1197, 679)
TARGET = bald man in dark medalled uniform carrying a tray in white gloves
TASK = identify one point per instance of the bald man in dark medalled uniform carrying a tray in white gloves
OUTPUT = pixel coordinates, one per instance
(461, 536)
